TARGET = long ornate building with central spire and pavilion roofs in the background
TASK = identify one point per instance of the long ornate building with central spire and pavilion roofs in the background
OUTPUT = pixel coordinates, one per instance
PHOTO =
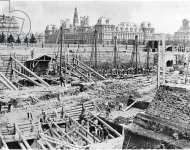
(83, 33)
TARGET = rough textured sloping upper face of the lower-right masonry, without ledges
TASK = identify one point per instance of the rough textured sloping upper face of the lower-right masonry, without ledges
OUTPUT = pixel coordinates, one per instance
(172, 104)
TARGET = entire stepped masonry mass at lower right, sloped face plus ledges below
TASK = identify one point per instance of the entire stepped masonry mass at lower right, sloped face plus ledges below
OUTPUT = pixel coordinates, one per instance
(166, 119)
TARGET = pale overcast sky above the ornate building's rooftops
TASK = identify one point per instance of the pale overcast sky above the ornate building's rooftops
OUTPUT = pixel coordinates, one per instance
(166, 16)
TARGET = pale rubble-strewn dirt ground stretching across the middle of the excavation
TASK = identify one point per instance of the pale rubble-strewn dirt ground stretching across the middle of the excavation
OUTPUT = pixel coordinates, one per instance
(38, 98)
